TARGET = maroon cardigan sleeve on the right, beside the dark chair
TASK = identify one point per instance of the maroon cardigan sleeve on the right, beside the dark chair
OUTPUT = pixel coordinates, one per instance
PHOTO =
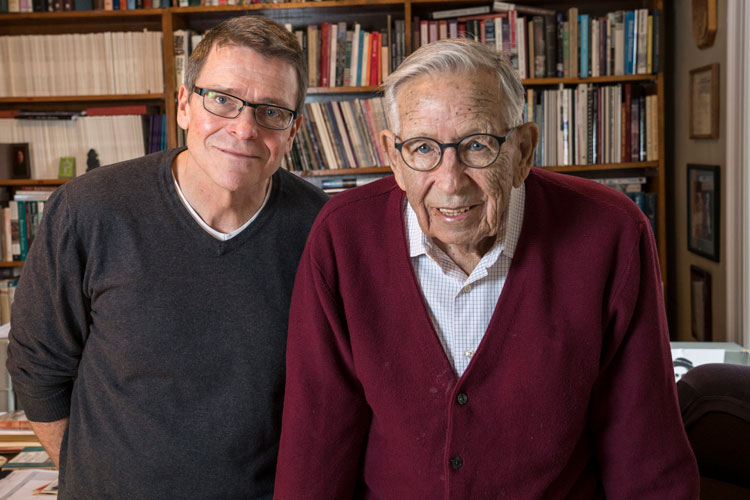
(642, 448)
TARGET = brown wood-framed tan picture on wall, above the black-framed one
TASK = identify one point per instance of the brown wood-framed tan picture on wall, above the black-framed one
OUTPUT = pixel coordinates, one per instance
(704, 102)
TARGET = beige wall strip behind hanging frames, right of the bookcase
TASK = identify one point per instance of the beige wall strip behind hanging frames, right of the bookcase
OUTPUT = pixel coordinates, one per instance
(682, 150)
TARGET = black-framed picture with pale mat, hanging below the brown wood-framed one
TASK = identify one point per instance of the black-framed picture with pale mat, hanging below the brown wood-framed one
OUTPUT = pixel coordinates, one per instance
(703, 202)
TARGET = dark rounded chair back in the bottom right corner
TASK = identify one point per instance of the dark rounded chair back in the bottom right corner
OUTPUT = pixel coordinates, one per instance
(715, 406)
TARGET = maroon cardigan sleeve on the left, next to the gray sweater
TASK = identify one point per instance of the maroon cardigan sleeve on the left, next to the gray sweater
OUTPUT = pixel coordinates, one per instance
(325, 416)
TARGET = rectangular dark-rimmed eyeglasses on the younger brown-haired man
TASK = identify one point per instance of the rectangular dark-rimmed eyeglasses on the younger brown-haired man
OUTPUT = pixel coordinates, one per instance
(229, 106)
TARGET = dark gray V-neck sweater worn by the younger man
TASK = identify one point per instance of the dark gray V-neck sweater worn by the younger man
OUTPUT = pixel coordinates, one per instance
(164, 345)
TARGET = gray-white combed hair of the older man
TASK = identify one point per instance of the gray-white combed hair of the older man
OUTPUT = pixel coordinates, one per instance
(457, 55)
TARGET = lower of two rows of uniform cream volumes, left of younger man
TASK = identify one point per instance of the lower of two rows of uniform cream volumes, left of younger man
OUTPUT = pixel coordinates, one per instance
(115, 138)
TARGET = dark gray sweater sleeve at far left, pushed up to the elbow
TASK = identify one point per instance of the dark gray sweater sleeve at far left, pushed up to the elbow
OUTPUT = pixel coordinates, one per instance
(50, 317)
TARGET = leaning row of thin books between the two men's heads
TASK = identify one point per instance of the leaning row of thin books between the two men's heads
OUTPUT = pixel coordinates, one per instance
(339, 134)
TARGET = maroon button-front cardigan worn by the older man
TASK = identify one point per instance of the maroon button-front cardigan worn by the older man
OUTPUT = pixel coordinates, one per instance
(570, 394)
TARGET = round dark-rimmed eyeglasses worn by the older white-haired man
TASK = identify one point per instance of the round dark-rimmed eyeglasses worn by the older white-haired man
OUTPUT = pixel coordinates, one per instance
(475, 151)
